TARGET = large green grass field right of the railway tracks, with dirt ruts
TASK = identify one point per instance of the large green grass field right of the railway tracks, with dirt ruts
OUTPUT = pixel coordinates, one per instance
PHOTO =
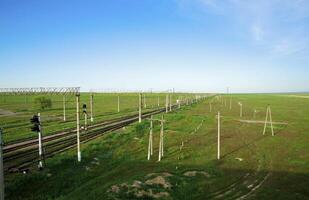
(252, 166)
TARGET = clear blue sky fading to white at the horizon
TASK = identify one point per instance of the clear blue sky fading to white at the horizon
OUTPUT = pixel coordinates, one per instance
(191, 45)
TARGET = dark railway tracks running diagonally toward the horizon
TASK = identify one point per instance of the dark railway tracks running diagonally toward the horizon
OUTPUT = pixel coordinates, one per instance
(19, 156)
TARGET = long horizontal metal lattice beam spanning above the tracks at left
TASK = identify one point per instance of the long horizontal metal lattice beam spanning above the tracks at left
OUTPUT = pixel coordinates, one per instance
(41, 91)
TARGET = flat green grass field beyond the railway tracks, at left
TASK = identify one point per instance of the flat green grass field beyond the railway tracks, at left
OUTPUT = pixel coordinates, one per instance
(16, 111)
